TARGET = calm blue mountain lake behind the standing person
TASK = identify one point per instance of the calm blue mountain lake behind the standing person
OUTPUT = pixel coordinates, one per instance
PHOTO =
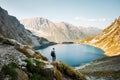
(73, 54)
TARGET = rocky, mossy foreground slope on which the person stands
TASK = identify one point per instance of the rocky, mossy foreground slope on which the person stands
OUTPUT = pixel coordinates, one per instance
(21, 62)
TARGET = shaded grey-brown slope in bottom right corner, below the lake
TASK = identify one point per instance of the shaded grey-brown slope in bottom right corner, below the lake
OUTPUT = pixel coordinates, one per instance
(102, 69)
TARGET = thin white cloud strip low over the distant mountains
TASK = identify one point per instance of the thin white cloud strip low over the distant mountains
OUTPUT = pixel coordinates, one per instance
(90, 19)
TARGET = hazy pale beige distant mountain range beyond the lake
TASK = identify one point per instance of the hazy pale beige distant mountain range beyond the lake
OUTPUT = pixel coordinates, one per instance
(58, 32)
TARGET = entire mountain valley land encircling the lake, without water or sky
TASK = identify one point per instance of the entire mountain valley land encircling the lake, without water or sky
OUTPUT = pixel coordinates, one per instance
(19, 61)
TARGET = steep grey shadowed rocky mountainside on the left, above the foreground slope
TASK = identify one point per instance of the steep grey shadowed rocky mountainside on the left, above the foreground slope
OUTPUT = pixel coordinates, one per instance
(10, 27)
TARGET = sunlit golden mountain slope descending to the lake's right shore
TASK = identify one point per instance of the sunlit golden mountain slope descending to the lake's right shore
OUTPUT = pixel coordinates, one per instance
(108, 39)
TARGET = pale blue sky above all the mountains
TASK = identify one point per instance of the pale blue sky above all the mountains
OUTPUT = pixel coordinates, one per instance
(86, 13)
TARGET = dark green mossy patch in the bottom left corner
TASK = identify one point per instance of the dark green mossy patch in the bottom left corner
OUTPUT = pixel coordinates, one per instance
(10, 70)
